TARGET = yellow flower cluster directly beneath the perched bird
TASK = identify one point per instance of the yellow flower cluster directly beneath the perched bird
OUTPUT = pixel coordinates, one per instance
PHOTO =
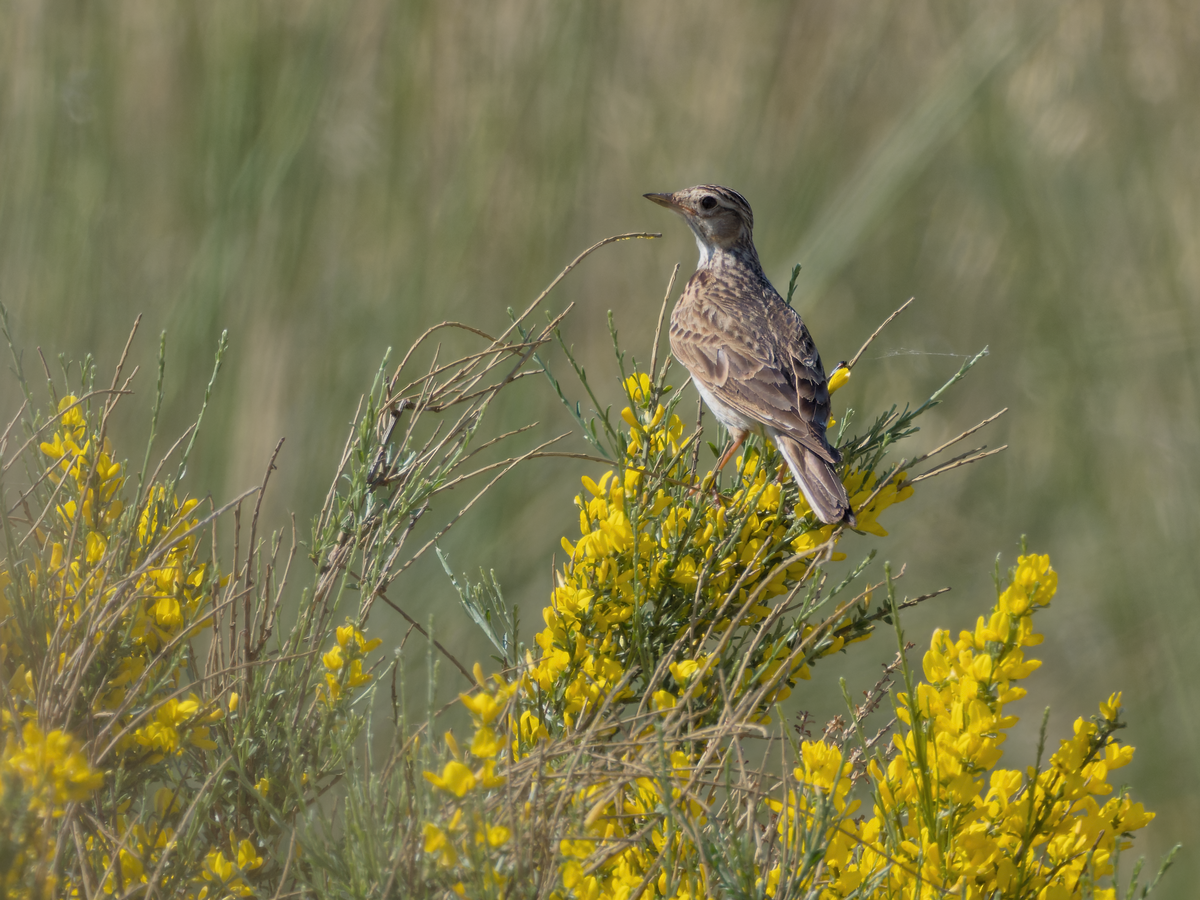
(710, 569)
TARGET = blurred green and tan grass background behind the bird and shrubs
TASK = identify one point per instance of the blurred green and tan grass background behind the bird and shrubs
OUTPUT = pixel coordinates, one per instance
(329, 179)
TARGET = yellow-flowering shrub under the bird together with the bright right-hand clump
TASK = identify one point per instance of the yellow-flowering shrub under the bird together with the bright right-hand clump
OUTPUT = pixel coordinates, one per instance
(680, 621)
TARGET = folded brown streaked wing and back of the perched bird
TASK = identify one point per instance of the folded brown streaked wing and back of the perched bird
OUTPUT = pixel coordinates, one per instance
(759, 359)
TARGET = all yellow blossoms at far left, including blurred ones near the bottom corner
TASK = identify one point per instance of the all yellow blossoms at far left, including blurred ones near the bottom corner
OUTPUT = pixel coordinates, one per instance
(95, 621)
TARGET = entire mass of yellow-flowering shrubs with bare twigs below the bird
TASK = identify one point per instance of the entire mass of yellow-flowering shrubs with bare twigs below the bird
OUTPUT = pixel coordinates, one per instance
(164, 736)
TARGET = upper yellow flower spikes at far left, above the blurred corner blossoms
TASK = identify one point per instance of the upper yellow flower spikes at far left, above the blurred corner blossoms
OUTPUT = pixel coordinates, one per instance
(119, 610)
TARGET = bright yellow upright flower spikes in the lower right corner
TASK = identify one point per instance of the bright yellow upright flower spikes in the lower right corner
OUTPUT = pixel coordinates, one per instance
(947, 820)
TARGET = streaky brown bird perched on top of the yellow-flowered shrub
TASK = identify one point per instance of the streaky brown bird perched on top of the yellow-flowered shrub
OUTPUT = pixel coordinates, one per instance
(749, 353)
